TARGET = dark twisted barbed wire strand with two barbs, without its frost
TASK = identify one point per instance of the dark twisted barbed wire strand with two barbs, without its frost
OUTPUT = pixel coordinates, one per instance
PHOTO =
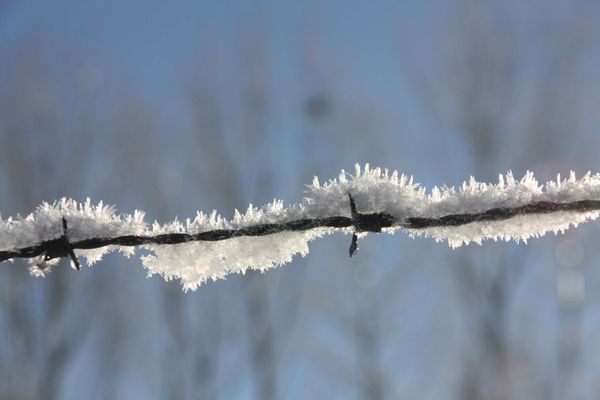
(374, 222)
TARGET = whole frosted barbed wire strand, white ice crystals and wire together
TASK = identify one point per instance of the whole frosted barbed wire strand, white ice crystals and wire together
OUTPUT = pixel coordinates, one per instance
(371, 200)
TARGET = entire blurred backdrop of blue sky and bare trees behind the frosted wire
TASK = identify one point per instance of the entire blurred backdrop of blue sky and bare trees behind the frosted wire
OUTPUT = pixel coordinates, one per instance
(173, 107)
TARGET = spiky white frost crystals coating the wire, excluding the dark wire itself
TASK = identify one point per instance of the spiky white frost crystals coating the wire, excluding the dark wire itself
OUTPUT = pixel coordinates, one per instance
(374, 190)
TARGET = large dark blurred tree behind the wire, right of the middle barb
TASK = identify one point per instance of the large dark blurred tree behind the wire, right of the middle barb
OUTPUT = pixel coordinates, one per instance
(481, 80)
